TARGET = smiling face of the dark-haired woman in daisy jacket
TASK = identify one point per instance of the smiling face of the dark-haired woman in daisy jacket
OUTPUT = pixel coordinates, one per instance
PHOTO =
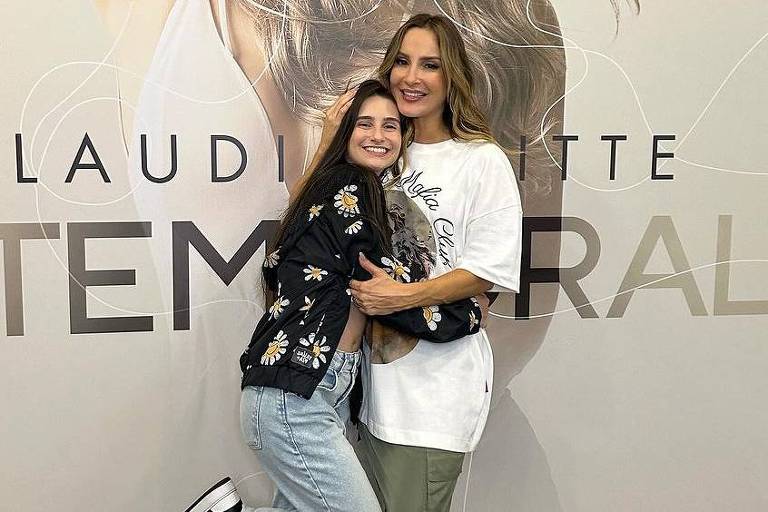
(376, 139)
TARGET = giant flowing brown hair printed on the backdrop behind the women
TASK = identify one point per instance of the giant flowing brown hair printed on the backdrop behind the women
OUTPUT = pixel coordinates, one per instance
(513, 49)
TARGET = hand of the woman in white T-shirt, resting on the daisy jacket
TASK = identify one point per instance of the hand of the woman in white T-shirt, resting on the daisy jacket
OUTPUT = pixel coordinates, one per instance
(380, 295)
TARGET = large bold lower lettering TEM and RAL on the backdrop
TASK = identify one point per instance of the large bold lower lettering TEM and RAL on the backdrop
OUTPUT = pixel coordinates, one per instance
(185, 235)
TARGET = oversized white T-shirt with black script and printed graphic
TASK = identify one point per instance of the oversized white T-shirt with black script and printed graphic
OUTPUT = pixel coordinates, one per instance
(438, 395)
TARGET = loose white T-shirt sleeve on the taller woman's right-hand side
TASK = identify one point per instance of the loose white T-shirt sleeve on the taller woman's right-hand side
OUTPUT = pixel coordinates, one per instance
(493, 233)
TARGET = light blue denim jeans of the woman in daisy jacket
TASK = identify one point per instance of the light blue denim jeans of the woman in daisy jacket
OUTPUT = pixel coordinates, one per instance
(301, 444)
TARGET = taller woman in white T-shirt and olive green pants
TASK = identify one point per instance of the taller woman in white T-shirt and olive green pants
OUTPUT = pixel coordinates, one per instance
(423, 411)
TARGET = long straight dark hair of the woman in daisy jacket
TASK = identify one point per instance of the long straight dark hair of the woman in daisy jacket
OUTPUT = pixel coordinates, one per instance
(323, 182)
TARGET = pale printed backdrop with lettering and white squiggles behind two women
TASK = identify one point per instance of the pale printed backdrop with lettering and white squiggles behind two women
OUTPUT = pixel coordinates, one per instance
(148, 149)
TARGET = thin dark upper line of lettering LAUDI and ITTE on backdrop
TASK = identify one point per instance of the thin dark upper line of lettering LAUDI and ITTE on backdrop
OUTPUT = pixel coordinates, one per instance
(94, 162)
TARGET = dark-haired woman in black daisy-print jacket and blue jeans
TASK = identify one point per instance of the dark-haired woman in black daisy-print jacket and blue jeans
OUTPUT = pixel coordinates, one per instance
(303, 357)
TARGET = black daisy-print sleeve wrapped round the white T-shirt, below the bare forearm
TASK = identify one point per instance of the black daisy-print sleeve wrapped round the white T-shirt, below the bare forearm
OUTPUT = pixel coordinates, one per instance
(446, 322)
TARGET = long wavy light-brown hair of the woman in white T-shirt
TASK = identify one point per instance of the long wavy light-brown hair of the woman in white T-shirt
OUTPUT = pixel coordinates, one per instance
(463, 117)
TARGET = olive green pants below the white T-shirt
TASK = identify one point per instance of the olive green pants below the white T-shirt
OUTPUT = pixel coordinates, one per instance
(409, 478)
